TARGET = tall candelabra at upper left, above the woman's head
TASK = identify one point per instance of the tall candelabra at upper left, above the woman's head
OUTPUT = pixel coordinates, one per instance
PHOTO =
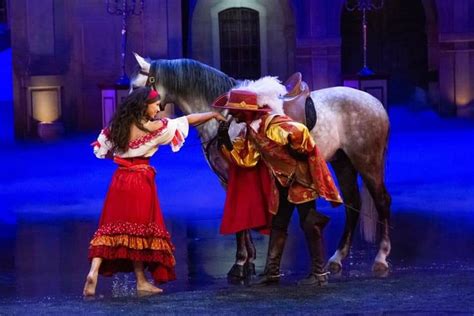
(125, 9)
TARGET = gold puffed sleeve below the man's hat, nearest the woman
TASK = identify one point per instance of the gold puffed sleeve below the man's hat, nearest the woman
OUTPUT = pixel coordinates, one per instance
(244, 154)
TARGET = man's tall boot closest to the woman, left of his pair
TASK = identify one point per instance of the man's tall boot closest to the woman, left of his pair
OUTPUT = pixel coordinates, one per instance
(275, 251)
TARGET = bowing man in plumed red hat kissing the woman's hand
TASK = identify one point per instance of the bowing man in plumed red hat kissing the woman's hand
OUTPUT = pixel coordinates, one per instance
(300, 174)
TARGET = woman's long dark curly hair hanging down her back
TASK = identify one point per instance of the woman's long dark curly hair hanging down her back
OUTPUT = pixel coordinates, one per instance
(131, 111)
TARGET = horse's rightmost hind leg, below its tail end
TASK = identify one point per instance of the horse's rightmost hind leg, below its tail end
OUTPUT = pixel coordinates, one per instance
(382, 201)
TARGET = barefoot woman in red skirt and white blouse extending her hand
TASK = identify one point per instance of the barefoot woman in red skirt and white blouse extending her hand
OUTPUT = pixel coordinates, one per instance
(132, 235)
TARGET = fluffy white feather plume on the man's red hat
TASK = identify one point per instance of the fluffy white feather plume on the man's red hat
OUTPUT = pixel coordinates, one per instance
(269, 92)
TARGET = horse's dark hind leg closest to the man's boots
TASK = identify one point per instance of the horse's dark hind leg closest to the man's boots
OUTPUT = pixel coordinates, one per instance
(347, 177)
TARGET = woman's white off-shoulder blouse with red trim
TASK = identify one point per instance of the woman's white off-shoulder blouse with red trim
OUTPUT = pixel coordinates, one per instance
(173, 132)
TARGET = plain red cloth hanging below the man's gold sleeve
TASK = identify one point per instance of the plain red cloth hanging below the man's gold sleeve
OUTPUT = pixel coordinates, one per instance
(247, 200)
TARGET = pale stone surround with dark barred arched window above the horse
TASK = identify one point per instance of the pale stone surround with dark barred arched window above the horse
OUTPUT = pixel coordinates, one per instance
(267, 49)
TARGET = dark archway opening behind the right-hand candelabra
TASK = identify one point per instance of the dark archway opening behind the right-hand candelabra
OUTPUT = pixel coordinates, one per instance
(397, 45)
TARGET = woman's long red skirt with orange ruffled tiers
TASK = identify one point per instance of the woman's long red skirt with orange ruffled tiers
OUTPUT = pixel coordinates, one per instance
(131, 226)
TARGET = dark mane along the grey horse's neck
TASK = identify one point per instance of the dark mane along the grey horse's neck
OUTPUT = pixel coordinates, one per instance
(188, 78)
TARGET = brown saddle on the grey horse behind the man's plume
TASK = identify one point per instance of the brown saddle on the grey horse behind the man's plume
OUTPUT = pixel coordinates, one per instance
(297, 103)
